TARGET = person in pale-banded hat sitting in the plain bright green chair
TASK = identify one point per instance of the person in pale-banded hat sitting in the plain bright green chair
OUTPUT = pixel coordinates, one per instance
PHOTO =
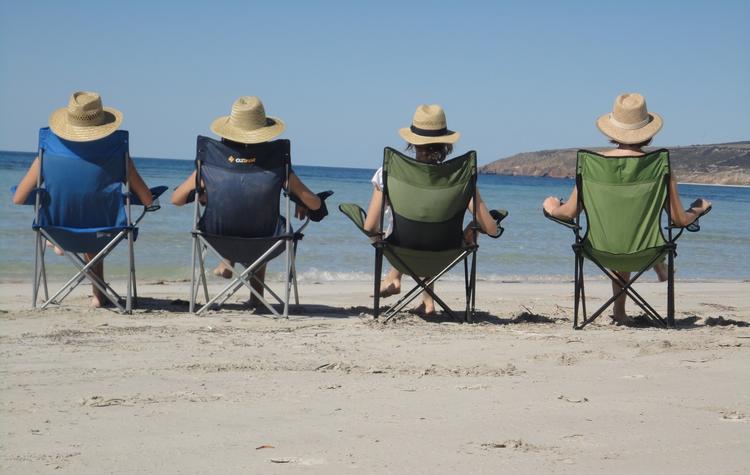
(630, 127)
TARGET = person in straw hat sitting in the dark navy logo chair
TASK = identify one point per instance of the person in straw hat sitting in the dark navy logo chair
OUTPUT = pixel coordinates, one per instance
(248, 125)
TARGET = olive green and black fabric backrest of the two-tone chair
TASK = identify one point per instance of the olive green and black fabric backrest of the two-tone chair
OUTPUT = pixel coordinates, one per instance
(428, 200)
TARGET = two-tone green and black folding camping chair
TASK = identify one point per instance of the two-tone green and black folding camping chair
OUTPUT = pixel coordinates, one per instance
(428, 203)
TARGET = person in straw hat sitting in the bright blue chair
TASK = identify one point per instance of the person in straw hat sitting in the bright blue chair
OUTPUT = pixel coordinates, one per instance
(84, 120)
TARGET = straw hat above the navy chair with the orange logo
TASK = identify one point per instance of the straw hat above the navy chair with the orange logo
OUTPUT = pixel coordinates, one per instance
(248, 122)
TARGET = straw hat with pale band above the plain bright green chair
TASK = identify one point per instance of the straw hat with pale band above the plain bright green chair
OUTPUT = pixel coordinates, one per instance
(629, 122)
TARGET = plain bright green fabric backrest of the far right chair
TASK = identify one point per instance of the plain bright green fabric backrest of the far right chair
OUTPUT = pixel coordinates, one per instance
(623, 198)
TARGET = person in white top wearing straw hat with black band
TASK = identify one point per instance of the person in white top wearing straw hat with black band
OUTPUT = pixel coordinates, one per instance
(431, 141)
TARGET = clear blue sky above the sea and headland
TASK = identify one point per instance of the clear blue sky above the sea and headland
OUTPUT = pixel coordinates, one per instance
(512, 76)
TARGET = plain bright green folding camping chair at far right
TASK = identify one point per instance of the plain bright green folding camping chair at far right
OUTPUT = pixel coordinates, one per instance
(624, 200)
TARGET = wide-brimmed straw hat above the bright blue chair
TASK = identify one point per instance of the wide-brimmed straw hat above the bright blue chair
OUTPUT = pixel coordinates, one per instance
(84, 119)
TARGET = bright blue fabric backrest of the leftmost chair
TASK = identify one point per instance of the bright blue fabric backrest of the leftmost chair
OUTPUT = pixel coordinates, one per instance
(83, 181)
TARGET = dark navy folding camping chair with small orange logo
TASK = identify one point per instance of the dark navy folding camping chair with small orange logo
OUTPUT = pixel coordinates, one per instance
(241, 222)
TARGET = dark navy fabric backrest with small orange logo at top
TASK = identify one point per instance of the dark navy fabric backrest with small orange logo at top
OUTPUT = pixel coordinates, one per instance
(243, 185)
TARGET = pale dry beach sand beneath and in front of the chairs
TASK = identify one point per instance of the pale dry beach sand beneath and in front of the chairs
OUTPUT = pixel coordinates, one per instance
(332, 391)
